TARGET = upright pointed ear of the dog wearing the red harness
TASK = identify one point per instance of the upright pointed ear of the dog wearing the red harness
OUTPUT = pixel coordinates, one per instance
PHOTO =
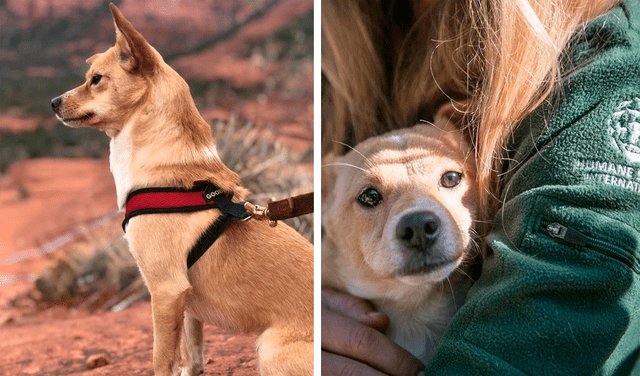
(135, 53)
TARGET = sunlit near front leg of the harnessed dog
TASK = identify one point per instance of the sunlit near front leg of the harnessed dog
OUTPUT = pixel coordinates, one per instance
(167, 308)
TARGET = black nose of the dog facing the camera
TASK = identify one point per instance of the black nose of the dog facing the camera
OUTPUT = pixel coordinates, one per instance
(418, 231)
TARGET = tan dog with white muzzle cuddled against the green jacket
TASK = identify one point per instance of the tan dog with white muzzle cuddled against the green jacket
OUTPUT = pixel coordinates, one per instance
(398, 214)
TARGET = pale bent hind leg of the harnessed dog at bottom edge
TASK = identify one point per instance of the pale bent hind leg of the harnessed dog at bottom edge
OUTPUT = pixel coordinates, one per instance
(281, 354)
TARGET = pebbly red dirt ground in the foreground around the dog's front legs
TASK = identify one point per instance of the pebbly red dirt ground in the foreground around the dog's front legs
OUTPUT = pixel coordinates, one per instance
(59, 341)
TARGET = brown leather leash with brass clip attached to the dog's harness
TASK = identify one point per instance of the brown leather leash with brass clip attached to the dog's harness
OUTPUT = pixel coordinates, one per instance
(283, 209)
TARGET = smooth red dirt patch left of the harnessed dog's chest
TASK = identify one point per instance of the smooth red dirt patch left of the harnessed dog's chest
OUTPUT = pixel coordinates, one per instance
(43, 198)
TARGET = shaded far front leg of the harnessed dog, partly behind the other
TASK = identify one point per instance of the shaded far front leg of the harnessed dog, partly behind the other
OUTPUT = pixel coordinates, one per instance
(192, 347)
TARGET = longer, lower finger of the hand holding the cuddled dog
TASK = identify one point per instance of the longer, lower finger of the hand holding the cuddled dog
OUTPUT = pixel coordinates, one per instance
(343, 336)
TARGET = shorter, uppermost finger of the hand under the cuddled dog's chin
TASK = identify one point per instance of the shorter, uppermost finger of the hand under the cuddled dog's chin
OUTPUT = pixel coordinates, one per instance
(355, 308)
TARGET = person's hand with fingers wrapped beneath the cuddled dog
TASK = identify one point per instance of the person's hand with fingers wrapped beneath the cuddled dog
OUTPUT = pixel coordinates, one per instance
(353, 342)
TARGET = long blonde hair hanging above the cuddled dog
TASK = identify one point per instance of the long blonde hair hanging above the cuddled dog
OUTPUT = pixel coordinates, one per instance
(496, 60)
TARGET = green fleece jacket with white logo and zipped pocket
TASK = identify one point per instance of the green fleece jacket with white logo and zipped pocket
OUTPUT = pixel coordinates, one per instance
(560, 292)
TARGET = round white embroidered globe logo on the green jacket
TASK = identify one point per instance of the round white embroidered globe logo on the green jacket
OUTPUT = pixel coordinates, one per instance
(624, 129)
